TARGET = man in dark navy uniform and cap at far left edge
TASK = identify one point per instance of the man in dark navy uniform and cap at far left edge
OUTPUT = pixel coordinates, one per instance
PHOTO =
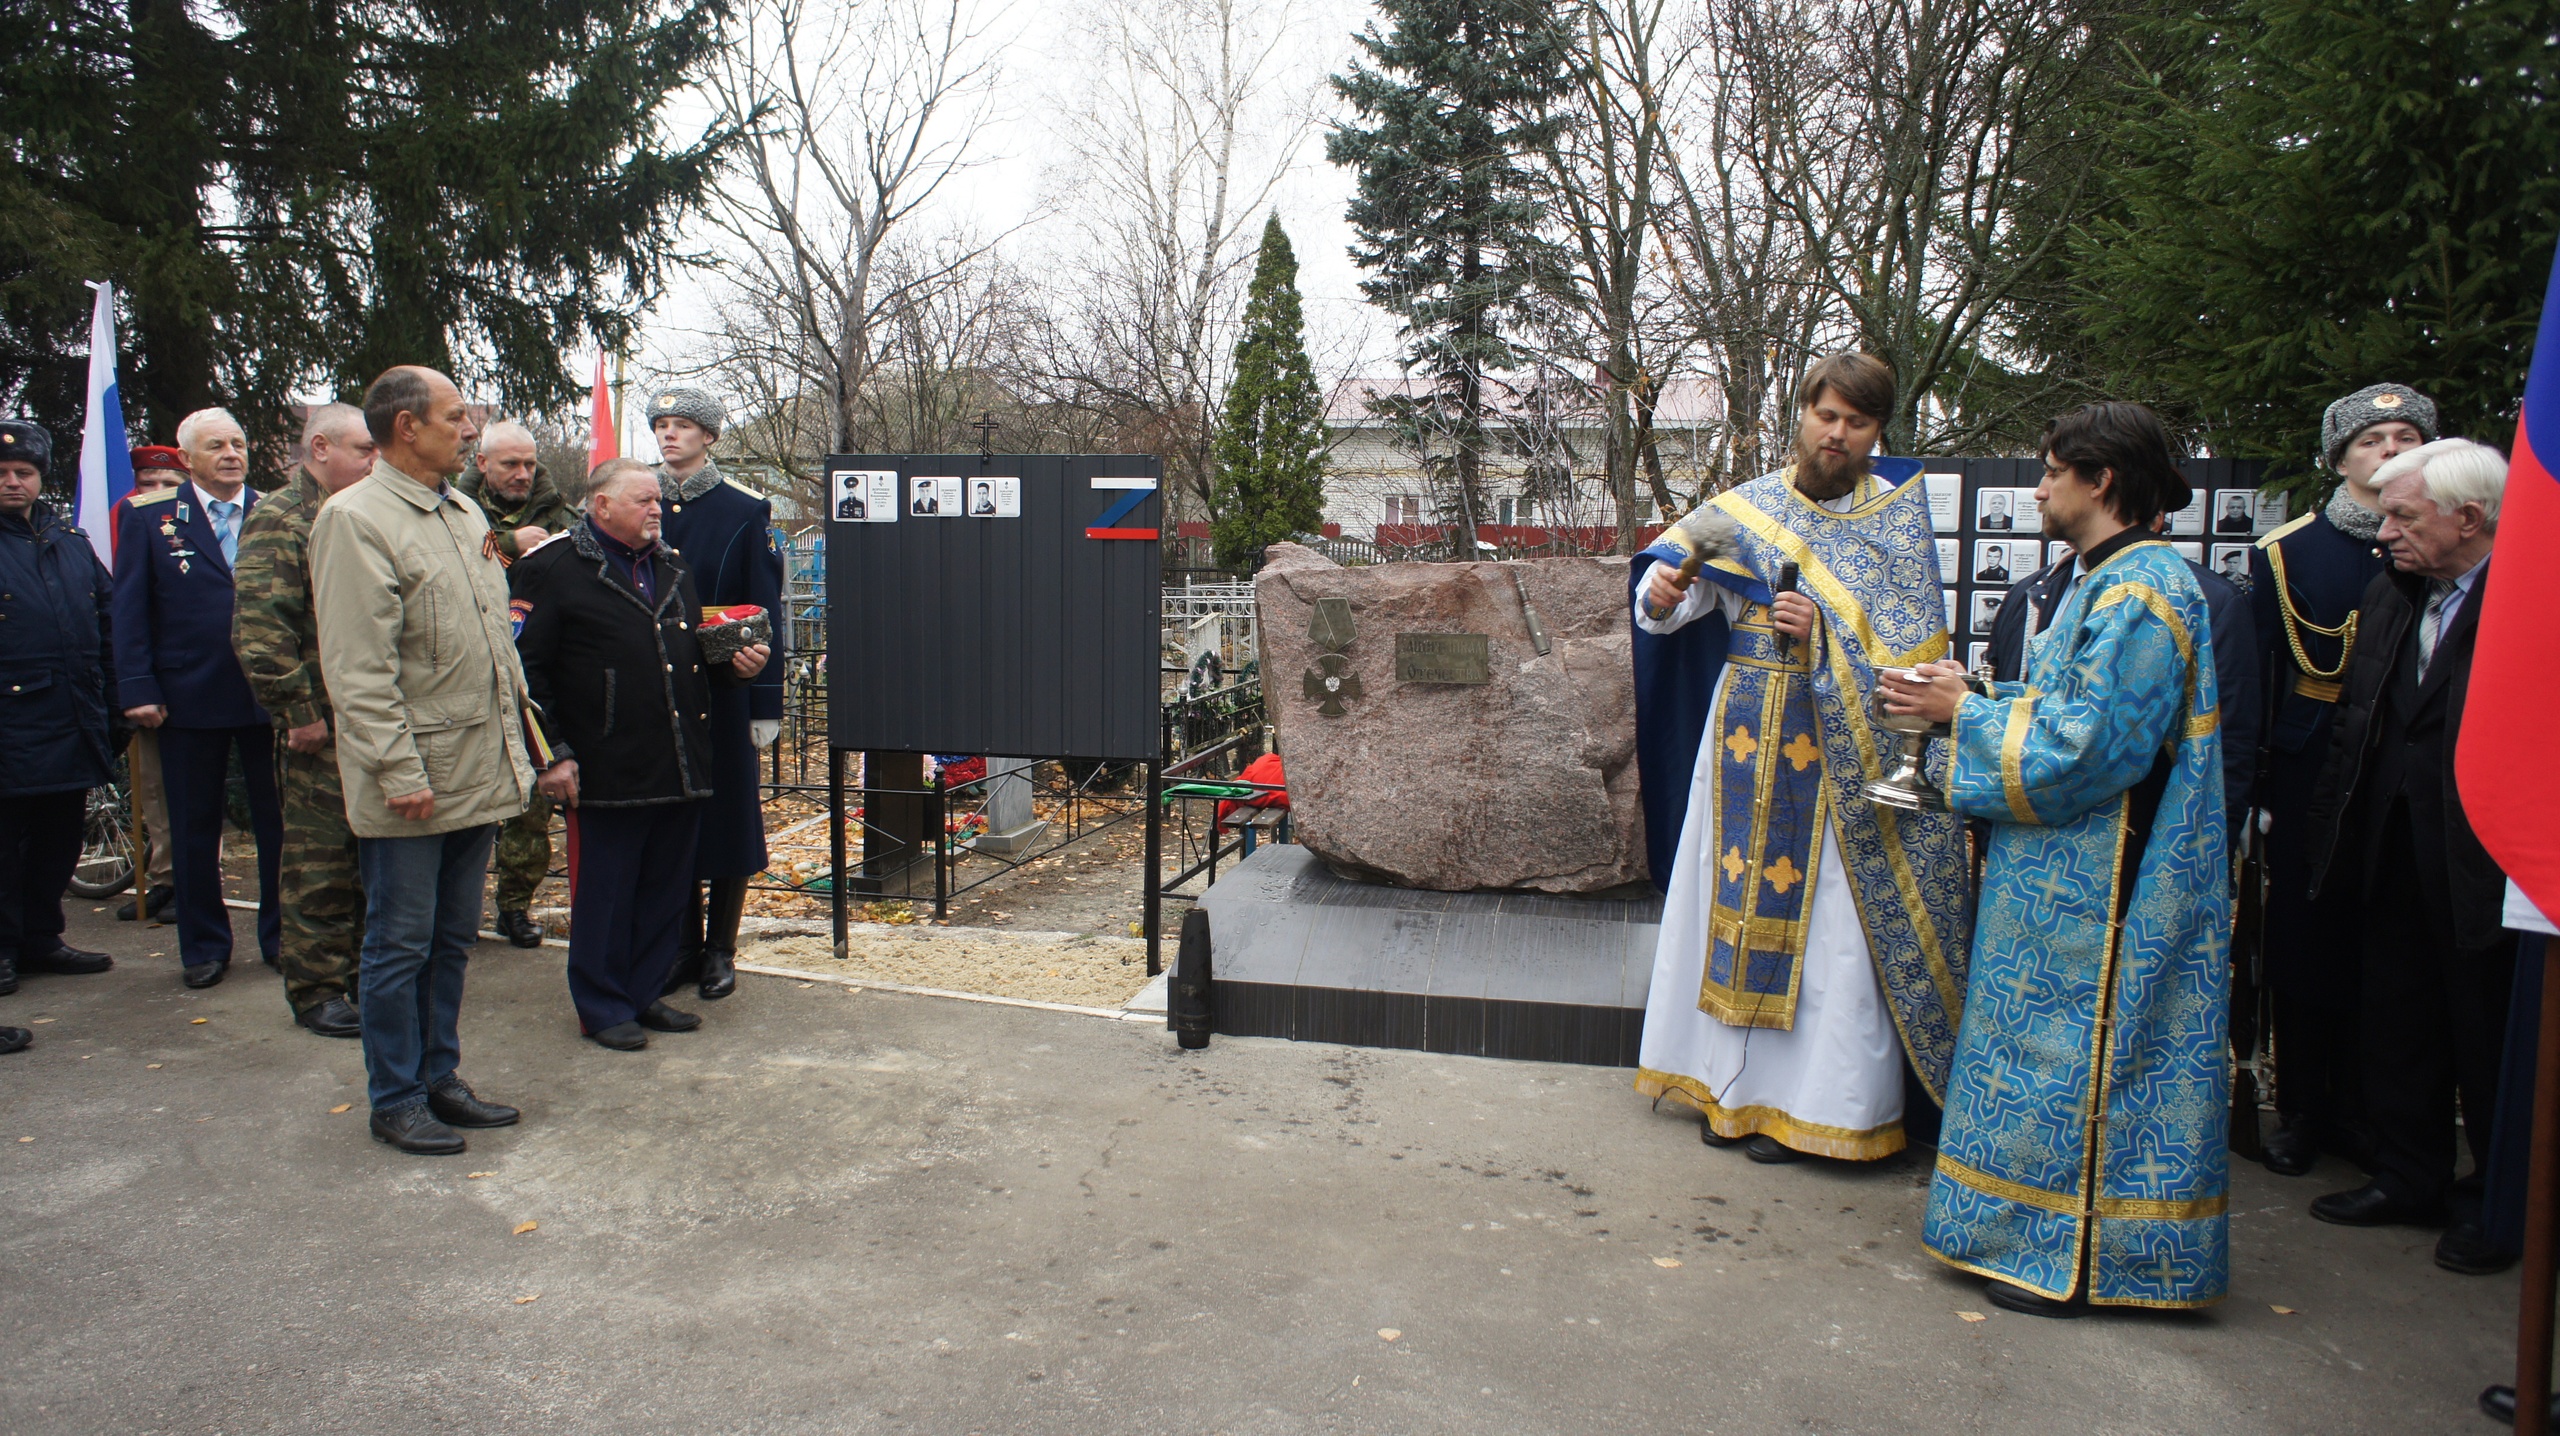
(58, 687)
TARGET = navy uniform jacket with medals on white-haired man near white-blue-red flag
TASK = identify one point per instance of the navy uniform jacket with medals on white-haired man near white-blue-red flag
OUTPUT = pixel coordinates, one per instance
(173, 613)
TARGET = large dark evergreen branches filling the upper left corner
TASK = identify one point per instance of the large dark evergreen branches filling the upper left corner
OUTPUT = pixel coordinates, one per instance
(301, 196)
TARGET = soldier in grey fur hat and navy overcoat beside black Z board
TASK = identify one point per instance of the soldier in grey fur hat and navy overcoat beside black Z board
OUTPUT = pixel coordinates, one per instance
(726, 536)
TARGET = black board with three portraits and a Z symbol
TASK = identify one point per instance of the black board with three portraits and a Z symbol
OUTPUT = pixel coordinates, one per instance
(1002, 628)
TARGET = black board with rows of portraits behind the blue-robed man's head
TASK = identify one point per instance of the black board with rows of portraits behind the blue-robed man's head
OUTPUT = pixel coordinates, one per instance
(1998, 536)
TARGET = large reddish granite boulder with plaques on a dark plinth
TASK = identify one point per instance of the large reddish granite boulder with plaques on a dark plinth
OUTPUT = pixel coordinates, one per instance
(1458, 726)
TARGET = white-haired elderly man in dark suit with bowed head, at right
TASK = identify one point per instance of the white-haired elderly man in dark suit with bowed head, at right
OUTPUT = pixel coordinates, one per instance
(2387, 828)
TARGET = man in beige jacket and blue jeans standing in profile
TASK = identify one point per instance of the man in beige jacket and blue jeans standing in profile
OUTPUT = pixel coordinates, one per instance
(419, 654)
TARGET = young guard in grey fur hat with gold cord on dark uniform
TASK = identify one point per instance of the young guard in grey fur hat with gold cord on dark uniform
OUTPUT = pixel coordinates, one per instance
(2308, 582)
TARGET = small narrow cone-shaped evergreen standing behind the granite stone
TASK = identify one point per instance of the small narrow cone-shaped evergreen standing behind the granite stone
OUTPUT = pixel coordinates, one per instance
(1271, 434)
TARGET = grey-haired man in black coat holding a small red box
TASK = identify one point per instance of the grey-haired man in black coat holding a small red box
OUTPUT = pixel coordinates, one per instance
(608, 626)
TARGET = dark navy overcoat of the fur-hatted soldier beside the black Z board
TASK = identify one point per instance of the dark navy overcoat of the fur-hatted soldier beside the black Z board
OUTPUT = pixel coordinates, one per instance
(726, 536)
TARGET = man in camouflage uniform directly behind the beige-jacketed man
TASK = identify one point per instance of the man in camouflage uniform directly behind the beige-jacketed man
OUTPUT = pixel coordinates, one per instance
(280, 649)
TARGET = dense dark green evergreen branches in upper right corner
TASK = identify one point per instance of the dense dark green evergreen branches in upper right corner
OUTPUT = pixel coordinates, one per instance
(2316, 196)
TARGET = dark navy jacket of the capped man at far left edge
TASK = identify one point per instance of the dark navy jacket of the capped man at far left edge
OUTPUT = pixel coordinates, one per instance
(58, 667)
